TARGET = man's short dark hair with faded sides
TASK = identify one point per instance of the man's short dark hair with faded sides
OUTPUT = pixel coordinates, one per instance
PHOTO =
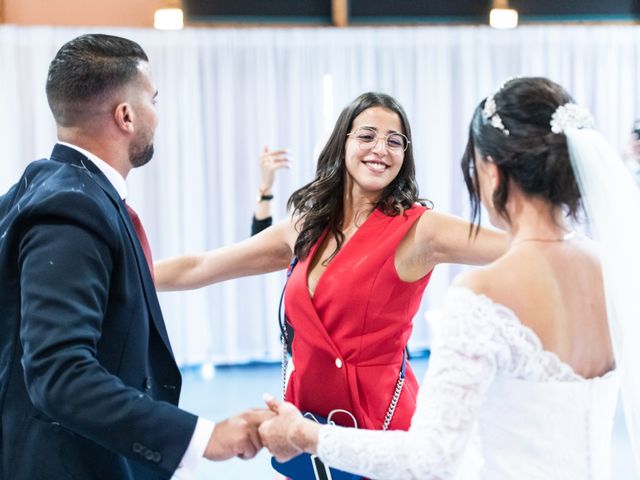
(87, 68)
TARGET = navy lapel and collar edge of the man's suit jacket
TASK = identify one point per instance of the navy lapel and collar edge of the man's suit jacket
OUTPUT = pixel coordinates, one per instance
(62, 153)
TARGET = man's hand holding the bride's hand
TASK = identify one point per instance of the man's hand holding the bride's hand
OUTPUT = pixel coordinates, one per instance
(237, 436)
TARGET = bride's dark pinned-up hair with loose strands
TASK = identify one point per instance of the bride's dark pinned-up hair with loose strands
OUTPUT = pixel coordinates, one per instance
(533, 157)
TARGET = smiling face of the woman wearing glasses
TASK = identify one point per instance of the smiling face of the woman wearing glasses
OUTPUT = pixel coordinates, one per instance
(372, 165)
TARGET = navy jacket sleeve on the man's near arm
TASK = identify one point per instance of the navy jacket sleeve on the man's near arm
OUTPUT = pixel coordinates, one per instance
(66, 282)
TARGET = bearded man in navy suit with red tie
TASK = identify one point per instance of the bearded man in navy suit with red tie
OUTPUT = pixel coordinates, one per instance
(88, 382)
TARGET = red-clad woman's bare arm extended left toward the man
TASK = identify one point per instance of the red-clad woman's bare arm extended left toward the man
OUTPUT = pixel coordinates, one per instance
(268, 251)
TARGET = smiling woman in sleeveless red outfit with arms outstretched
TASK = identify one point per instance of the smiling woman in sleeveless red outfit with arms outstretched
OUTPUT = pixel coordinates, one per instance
(366, 249)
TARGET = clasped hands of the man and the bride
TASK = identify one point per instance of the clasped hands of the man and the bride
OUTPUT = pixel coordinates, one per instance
(280, 428)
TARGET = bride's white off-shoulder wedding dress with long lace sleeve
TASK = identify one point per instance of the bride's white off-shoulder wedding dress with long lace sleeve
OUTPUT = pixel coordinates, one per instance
(493, 405)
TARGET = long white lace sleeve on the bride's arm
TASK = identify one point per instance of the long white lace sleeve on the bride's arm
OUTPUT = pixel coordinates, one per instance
(463, 363)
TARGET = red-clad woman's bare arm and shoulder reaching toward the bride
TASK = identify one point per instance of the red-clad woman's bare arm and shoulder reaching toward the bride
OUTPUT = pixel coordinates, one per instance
(442, 238)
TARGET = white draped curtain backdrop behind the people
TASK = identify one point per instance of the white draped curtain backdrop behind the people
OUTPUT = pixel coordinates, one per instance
(225, 93)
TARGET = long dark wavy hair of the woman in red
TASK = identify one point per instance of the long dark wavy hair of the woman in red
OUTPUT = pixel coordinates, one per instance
(319, 203)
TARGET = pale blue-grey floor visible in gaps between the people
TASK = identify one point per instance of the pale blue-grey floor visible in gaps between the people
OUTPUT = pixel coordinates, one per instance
(233, 389)
